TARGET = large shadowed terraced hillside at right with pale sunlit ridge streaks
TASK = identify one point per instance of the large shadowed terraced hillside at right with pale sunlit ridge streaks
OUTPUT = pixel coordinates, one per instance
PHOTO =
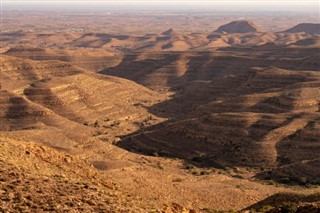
(259, 118)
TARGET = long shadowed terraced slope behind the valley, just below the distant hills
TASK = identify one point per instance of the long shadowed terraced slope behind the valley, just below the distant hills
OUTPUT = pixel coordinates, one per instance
(173, 70)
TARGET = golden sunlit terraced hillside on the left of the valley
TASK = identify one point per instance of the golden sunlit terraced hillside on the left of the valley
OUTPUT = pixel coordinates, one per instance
(58, 94)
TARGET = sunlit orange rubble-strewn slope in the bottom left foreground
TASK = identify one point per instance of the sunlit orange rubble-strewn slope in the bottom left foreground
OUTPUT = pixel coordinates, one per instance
(38, 178)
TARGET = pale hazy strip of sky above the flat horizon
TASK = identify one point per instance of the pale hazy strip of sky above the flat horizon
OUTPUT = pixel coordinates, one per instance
(242, 5)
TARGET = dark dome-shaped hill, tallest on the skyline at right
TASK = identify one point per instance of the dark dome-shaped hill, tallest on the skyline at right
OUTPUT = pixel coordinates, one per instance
(242, 26)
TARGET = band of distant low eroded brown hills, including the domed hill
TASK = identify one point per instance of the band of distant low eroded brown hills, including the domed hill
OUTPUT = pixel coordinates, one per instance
(234, 34)
